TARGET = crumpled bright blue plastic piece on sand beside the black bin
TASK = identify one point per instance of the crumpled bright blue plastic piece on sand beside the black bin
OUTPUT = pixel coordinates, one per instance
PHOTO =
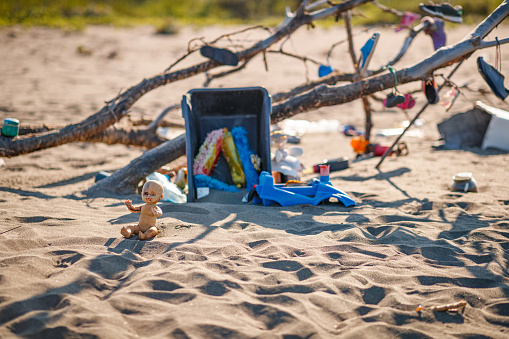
(316, 192)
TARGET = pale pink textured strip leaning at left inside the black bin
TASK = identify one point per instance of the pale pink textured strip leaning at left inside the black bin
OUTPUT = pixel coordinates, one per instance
(209, 152)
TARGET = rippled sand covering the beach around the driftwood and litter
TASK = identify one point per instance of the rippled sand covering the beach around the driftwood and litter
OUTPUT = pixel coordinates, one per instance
(224, 269)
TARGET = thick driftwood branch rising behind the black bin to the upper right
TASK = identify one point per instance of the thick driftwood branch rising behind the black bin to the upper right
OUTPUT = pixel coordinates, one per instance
(126, 180)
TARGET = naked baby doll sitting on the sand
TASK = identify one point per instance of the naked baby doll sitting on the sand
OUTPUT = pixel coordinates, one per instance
(151, 193)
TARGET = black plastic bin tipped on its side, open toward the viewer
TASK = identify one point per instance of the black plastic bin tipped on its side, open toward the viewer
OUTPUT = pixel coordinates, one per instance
(208, 109)
